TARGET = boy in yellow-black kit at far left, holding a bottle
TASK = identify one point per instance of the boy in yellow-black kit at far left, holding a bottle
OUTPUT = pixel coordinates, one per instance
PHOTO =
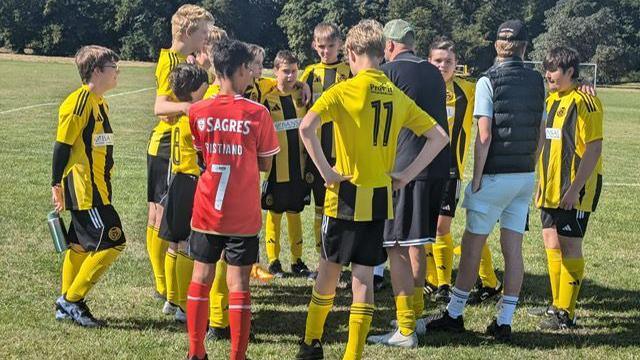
(81, 182)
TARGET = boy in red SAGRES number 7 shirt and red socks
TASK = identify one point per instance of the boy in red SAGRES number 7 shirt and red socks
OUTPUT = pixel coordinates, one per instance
(237, 139)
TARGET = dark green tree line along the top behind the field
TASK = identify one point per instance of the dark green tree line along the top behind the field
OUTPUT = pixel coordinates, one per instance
(606, 32)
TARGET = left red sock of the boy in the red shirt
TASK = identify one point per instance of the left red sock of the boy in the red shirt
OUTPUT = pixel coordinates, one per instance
(197, 318)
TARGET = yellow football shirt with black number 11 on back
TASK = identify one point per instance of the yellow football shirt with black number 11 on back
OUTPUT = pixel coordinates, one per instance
(368, 112)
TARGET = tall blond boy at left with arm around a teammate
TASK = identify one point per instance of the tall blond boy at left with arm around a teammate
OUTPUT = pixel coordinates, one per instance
(189, 30)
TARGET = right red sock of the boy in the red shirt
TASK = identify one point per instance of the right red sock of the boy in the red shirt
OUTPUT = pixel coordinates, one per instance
(239, 323)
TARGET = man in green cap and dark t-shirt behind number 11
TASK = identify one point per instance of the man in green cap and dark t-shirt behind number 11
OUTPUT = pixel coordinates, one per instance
(417, 205)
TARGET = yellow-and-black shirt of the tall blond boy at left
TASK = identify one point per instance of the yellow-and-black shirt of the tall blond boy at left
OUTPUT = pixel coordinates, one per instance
(160, 141)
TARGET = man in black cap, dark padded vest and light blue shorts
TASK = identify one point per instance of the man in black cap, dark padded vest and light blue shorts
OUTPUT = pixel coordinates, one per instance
(509, 107)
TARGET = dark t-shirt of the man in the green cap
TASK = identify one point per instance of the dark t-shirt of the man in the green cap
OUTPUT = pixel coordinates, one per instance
(423, 83)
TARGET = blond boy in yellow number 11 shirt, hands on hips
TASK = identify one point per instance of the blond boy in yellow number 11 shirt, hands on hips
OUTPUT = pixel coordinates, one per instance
(368, 112)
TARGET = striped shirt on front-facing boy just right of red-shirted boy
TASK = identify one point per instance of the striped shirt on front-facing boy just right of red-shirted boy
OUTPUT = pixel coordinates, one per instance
(287, 110)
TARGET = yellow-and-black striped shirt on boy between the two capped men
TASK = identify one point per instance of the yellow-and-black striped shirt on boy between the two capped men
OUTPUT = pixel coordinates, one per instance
(460, 99)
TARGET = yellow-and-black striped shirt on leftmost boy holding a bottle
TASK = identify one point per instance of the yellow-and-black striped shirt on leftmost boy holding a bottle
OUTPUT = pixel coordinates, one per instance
(83, 123)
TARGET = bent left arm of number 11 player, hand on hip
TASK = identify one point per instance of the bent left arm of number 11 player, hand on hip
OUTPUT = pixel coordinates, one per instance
(308, 128)
